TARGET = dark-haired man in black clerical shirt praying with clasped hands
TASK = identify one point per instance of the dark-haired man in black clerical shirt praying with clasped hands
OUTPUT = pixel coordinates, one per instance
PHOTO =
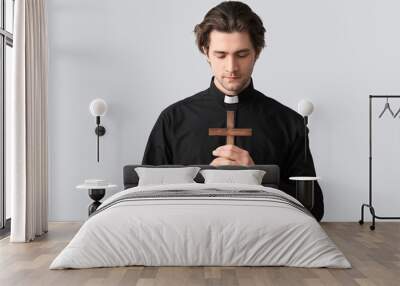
(231, 36)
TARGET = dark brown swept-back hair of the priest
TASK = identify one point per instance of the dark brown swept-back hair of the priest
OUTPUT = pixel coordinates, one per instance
(230, 16)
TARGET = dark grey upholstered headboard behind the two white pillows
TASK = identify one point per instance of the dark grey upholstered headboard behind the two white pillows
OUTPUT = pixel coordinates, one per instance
(270, 179)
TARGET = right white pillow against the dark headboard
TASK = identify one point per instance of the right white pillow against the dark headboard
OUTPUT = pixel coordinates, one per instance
(249, 177)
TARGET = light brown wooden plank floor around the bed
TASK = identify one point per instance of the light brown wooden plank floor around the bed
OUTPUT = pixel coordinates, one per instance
(374, 255)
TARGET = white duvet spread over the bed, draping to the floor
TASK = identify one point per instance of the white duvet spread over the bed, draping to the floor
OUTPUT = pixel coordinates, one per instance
(200, 231)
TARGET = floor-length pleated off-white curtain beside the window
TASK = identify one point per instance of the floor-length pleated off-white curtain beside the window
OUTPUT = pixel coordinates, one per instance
(27, 122)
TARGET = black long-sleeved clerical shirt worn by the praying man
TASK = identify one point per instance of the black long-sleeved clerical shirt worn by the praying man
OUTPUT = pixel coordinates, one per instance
(180, 135)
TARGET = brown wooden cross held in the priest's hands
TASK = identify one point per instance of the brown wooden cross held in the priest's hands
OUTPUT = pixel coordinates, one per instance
(230, 131)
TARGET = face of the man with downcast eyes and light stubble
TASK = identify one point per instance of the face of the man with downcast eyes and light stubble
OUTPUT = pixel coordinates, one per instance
(232, 58)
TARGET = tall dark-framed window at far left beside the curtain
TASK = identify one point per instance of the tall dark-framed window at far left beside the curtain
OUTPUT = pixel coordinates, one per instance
(6, 60)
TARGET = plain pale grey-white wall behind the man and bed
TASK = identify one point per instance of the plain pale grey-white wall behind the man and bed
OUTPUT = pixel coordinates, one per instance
(141, 57)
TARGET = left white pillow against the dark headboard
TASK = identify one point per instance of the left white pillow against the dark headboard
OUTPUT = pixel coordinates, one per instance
(162, 176)
